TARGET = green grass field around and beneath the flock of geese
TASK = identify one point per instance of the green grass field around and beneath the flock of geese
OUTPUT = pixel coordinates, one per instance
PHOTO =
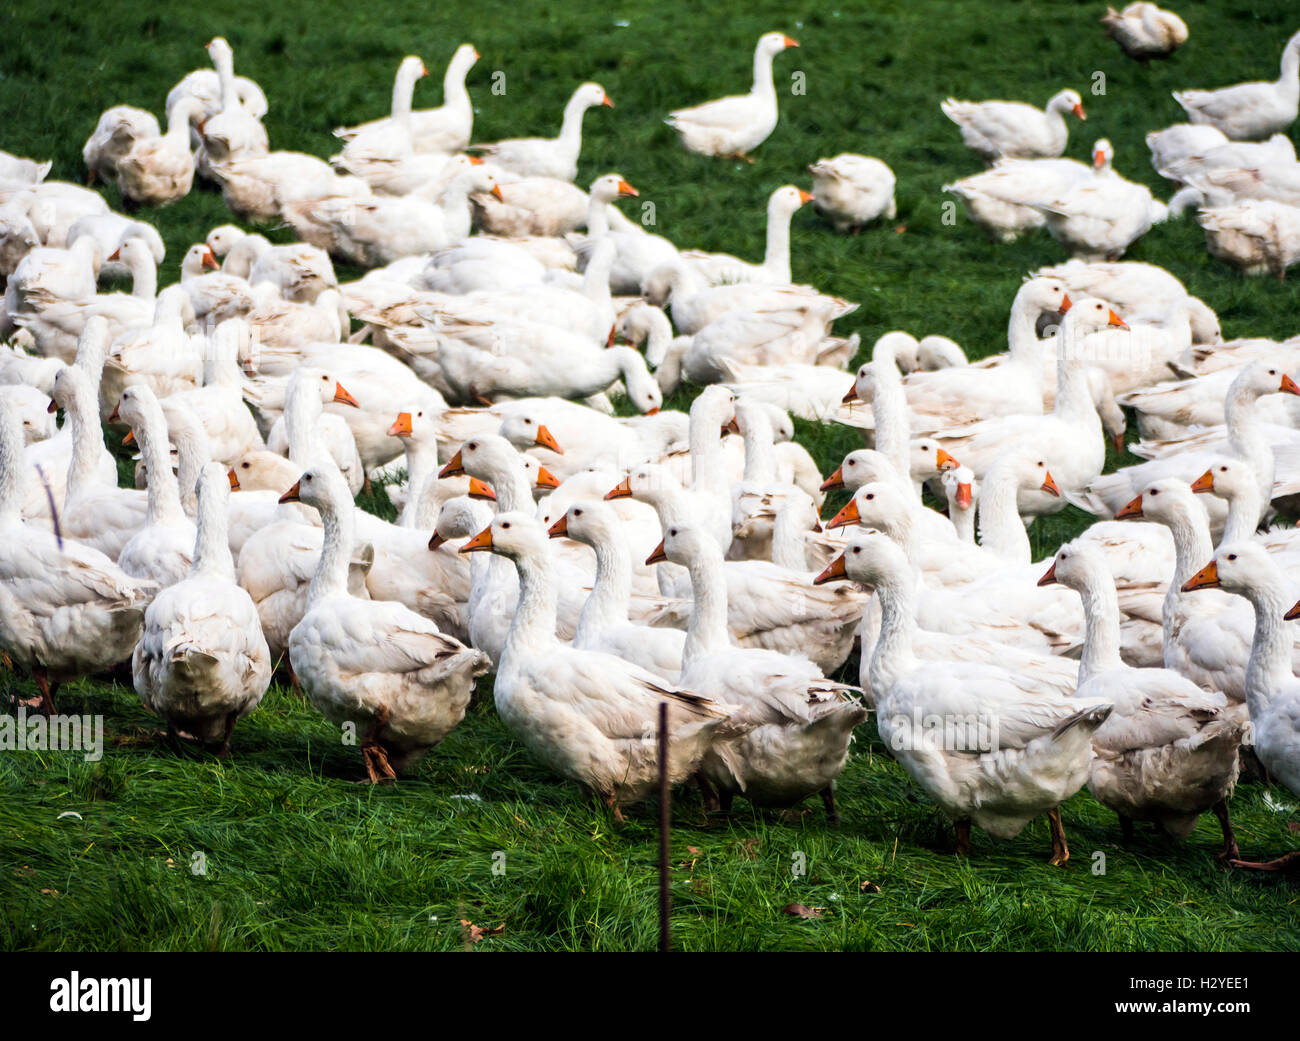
(297, 857)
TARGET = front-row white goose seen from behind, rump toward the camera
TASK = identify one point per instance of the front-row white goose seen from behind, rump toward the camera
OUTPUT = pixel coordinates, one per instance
(203, 663)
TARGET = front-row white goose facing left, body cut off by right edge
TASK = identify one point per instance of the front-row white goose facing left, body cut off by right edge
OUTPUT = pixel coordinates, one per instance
(1272, 688)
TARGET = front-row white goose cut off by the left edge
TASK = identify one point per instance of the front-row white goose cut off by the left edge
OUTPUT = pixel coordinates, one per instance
(66, 609)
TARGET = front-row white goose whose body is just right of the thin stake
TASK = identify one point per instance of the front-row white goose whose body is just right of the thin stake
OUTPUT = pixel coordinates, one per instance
(800, 725)
